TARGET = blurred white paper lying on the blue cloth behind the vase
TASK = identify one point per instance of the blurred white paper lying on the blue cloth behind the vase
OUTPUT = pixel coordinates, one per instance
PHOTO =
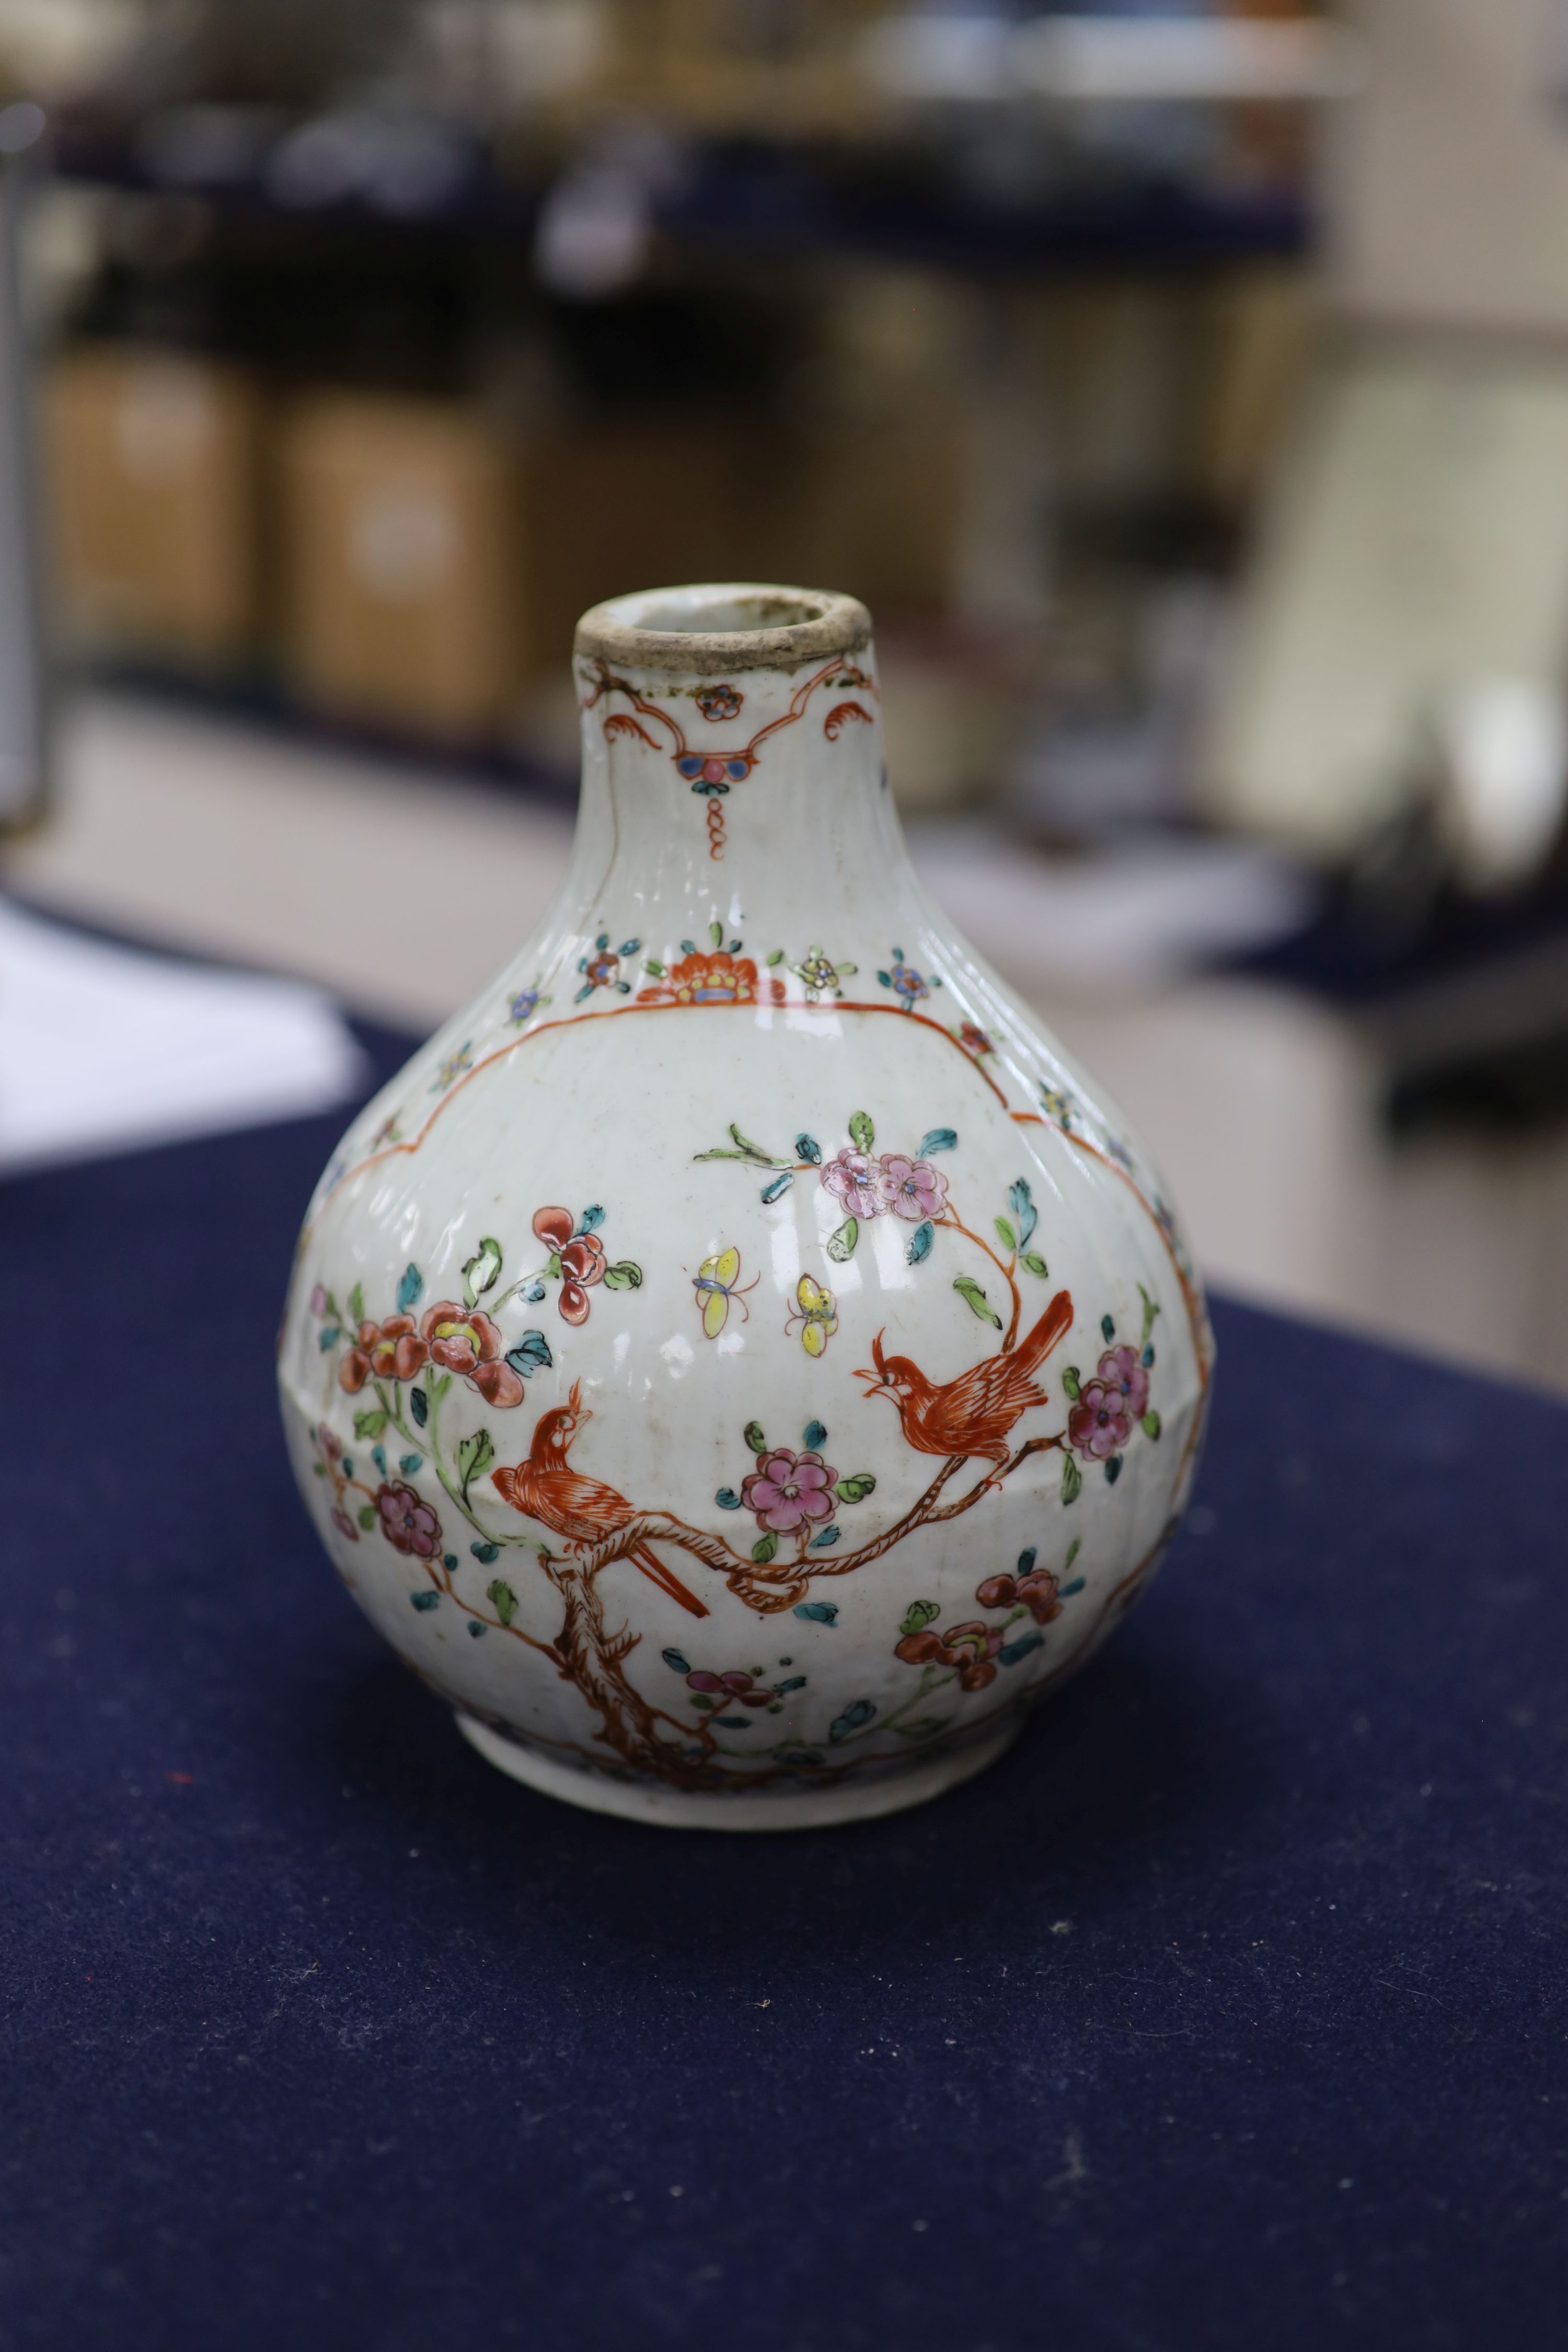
(107, 1050)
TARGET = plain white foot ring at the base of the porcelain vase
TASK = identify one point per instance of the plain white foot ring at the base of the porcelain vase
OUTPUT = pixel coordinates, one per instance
(683, 1810)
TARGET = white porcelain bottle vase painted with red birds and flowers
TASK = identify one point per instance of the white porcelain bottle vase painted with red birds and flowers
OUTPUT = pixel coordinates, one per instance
(742, 1363)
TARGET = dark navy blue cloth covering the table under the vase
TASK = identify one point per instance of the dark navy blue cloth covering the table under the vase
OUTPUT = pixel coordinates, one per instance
(1228, 2010)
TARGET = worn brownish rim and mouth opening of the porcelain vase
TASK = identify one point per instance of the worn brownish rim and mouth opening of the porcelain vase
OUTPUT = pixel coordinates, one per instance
(723, 627)
